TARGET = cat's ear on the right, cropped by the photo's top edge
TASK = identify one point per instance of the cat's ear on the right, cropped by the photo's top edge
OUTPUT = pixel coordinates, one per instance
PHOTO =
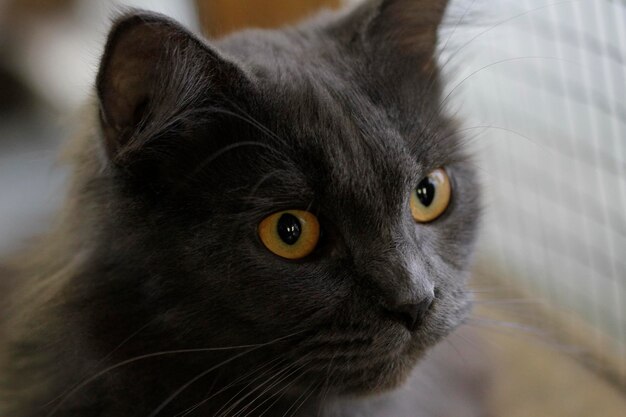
(403, 30)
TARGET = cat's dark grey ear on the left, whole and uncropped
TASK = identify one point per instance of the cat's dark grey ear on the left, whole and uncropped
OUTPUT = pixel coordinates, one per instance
(152, 76)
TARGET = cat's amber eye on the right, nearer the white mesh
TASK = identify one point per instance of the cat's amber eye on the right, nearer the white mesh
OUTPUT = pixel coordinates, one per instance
(431, 197)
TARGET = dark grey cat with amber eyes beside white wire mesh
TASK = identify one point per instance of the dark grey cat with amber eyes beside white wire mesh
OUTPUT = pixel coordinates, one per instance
(279, 222)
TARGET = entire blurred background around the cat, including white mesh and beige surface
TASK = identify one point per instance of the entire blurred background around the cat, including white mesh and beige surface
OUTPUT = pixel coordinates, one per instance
(540, 88)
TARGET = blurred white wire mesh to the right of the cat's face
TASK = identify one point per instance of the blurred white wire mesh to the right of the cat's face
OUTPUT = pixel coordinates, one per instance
(540, 86)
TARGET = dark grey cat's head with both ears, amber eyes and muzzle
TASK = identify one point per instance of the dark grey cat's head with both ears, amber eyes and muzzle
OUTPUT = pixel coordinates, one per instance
(301, 186)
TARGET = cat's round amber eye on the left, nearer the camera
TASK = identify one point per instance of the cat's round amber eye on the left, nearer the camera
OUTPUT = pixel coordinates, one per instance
(292, 234)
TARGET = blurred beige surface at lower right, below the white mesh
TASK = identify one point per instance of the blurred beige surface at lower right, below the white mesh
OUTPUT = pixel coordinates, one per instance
(535, 377)
